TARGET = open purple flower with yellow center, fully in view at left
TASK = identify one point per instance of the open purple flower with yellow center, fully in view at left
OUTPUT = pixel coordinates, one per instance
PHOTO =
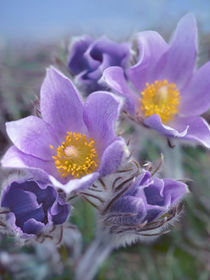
(73, 143)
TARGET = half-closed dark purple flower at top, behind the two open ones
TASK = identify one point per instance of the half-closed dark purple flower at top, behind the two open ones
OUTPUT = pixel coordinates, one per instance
(88, 59)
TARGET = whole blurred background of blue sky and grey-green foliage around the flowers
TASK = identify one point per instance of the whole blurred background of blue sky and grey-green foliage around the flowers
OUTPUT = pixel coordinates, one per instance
(35, 34)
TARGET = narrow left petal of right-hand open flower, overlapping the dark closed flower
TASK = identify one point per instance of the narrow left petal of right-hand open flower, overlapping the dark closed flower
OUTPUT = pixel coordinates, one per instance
(115, 78)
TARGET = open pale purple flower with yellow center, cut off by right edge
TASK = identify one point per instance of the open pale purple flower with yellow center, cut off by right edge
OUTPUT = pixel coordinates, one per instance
(168, 95)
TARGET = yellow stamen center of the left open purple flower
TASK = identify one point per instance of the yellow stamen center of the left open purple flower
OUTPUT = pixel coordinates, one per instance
(76, 156)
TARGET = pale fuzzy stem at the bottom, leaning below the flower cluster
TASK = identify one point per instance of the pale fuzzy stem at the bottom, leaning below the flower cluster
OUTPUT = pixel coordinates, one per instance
(95, 255)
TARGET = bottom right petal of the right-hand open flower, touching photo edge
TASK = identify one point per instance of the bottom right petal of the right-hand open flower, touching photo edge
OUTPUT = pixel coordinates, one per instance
(199, 129)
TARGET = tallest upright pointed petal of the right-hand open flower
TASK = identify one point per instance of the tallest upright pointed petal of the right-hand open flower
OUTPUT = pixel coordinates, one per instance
(177, 64)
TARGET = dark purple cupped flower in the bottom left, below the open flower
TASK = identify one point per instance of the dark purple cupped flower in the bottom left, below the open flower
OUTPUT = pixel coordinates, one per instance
(33, 207)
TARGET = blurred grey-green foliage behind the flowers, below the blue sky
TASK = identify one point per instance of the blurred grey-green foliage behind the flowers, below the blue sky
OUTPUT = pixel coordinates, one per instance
(180, 255)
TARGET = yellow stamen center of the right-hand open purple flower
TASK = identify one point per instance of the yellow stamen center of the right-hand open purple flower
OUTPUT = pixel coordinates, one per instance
(161, 98)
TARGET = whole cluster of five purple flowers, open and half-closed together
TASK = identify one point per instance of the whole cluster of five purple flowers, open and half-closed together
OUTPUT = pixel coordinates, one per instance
(71, 148)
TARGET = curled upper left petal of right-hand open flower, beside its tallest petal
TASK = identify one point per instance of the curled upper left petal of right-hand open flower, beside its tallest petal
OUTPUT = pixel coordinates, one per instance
(150, 46)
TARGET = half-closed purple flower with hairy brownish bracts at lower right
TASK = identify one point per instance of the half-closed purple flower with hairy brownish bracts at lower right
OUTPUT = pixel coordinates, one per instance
(143, 209)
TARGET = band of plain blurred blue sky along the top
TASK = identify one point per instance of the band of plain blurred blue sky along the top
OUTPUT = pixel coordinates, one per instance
(51, 19)
